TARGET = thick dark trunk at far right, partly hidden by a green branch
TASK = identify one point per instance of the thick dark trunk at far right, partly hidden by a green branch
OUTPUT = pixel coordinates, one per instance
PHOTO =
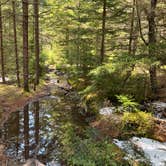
(152, 42)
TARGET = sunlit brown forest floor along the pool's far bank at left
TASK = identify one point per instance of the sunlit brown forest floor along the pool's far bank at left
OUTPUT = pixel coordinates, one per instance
(13, 97)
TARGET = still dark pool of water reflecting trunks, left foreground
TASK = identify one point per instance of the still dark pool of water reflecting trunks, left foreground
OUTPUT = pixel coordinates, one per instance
(34, 131)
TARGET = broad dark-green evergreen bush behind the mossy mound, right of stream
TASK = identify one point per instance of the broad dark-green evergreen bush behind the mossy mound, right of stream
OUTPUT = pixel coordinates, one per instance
(107, 81)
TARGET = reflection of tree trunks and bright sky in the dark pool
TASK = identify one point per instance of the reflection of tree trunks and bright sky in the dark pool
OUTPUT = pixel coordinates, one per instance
(28, 133)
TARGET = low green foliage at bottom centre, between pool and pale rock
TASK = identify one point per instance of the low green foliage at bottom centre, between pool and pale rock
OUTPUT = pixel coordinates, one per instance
(87, 150)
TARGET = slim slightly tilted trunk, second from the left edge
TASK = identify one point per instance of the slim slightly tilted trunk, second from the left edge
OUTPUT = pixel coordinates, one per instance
(15, 44)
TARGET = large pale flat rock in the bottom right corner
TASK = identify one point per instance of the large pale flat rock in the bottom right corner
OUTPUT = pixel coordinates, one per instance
(151, 150)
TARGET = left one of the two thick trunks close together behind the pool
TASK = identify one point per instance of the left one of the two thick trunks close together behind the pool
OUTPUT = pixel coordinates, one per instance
(25, 45)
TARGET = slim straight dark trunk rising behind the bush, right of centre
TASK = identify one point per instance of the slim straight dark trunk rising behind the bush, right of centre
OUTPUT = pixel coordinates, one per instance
(102, 53)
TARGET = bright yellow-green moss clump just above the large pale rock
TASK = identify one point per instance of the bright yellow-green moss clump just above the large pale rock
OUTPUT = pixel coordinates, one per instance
(138, 123)
